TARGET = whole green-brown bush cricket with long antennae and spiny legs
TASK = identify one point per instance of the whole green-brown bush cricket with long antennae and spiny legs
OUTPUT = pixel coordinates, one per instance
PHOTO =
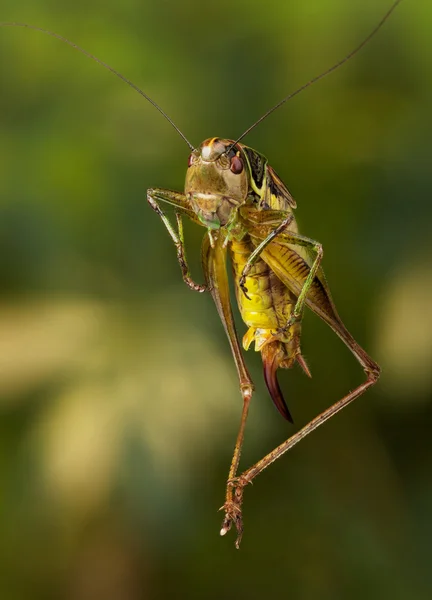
(247, 210)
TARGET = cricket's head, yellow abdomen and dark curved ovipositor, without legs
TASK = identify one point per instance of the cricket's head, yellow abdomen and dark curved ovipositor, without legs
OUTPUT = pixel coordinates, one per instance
(225, 184)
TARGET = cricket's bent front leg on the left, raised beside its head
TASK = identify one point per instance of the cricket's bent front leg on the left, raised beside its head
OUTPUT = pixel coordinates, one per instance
(179, 201)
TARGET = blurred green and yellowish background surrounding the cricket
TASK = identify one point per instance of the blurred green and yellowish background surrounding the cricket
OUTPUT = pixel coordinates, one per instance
(119, 399)
